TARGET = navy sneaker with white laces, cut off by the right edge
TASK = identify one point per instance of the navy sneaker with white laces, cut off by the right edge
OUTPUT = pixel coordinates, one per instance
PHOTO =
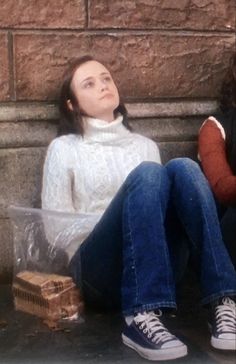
(223, 325)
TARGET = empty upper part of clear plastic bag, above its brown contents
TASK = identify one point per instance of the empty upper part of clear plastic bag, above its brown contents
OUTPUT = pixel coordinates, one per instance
(46, 240)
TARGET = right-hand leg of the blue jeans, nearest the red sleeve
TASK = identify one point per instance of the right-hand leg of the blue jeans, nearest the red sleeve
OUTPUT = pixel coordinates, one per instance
(196, 209)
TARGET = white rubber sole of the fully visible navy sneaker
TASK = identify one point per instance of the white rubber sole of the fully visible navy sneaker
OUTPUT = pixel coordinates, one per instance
(160, 354)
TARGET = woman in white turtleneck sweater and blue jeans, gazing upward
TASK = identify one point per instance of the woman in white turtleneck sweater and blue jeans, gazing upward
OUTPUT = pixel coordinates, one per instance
(129, 258)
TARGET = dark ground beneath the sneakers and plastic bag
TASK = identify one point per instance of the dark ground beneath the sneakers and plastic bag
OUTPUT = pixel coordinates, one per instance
(96, 337)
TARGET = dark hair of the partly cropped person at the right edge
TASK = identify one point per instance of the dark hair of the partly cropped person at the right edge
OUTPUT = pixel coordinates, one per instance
(227, 98)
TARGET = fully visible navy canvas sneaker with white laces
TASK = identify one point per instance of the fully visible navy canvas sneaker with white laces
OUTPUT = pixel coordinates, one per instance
(148, 336)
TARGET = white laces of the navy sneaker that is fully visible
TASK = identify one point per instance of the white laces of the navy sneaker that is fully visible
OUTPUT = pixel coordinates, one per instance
(151, 325)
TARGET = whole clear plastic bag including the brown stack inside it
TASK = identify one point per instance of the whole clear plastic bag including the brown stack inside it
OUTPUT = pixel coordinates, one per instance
(44, 242)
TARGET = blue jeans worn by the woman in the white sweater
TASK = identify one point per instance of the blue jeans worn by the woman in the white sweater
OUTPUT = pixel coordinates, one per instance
(131, 256)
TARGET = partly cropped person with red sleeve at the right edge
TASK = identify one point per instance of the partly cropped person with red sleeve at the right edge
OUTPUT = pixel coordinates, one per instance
(217, 151)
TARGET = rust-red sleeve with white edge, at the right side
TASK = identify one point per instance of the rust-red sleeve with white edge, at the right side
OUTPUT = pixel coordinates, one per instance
(212, 153)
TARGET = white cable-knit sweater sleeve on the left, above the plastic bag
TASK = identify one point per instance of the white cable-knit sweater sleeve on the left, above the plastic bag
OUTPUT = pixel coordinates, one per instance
(57, 179)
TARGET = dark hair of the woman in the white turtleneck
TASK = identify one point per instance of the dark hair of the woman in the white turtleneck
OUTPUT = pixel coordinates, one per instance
(71, 121)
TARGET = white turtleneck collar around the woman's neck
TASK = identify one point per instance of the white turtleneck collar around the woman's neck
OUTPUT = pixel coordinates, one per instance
(97, 130)
